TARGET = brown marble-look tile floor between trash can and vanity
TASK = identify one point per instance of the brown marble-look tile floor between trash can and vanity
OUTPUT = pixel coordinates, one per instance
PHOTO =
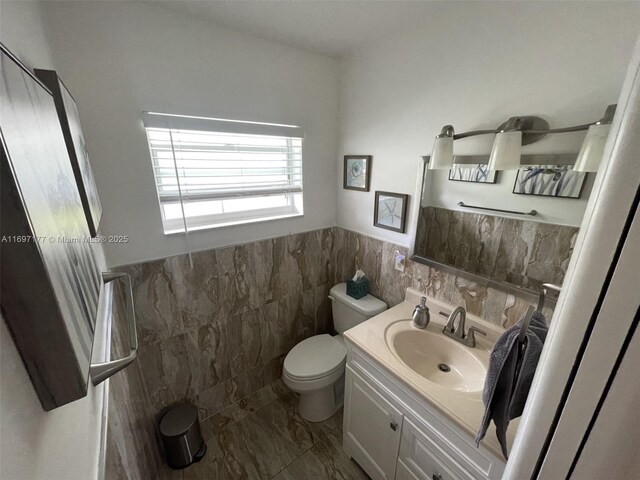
(263, 437)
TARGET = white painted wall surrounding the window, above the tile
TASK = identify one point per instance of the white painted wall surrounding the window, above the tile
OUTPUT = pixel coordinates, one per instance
(121, 58)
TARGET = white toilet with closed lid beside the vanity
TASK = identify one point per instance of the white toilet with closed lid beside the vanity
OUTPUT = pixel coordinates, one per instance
(314, 368)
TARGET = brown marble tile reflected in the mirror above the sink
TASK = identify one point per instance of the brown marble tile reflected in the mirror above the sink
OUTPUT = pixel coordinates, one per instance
(516, 251)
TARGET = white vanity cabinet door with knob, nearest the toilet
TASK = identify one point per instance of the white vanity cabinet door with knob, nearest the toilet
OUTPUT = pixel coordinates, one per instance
(372, 428)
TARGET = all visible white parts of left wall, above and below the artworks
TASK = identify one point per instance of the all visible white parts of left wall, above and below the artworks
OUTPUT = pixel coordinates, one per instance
(63, 443)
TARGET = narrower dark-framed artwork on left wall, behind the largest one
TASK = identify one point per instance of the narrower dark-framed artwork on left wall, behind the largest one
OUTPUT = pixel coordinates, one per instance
(74, 139)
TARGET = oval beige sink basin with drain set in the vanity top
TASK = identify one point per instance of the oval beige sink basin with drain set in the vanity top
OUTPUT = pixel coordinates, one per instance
(437, 358)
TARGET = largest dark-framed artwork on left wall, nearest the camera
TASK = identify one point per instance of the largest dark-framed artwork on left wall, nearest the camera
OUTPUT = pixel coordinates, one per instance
(50, 282)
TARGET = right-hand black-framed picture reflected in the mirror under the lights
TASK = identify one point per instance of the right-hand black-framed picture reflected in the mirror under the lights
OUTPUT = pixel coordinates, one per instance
(558, 181)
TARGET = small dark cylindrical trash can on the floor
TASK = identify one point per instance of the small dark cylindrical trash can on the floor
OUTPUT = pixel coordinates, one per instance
(181, 436)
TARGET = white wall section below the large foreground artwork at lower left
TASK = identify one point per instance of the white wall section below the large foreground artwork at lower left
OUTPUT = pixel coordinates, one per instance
(62, 444)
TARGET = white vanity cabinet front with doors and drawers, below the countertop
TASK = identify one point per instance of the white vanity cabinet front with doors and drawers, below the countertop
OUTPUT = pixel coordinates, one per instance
(394, 434)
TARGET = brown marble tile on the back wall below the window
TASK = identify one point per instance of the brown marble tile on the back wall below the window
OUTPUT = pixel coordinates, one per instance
(219, 331)
